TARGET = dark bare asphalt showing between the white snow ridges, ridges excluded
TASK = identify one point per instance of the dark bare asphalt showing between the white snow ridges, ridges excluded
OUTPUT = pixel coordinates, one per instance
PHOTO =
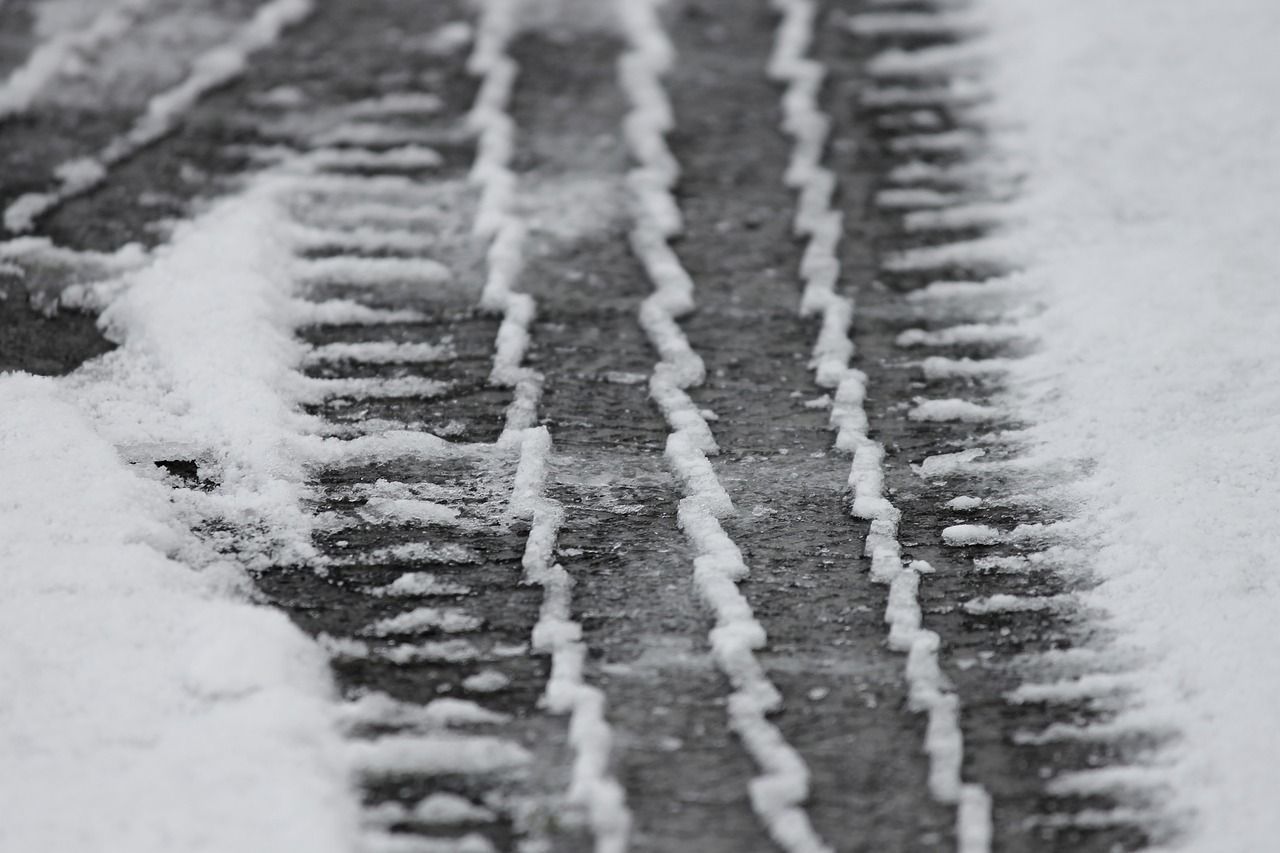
(684, 772)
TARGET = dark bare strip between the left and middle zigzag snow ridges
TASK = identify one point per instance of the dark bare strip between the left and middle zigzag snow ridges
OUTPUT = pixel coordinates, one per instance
(683, 770)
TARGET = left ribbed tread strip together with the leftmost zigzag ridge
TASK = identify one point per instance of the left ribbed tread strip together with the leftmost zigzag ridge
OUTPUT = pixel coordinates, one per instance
(423, 542)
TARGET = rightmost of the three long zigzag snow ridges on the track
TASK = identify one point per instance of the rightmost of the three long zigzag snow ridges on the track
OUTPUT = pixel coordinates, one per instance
(820, 268)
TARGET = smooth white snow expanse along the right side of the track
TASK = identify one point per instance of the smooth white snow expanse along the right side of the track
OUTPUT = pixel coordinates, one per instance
(1153, 136)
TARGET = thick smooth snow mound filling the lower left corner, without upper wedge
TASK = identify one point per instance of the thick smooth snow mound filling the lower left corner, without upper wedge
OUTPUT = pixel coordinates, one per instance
(144, 709)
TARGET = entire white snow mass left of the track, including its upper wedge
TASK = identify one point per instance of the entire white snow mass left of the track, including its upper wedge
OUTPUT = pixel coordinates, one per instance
(141, 691)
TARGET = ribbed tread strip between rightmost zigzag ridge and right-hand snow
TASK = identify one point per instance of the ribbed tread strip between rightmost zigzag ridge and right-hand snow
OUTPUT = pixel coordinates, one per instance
(1005, 555)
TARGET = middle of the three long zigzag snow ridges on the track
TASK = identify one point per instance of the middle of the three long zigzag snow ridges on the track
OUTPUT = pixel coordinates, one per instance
(783, 787)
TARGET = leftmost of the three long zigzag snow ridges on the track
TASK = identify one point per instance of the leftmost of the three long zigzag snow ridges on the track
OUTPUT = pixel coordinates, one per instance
(556, 633)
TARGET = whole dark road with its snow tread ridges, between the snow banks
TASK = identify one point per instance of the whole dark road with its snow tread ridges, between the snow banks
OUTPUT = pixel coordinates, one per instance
(548, 391)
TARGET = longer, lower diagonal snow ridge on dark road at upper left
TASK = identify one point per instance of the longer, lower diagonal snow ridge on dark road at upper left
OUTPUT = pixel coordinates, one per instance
(212, 70)
